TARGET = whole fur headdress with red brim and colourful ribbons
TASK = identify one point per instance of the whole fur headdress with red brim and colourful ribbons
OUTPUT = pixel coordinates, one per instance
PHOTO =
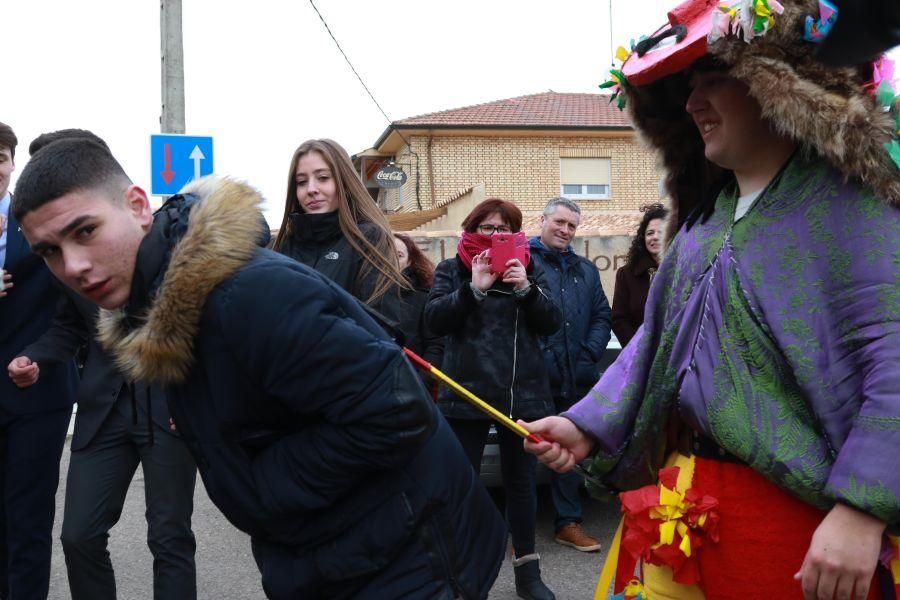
(849, 115)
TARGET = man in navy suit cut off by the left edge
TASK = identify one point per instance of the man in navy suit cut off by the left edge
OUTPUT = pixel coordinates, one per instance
(33, 422)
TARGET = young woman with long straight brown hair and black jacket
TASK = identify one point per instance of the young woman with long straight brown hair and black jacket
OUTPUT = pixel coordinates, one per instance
(331, 224)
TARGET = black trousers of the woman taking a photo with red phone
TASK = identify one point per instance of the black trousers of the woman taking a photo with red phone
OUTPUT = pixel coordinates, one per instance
(516, 467)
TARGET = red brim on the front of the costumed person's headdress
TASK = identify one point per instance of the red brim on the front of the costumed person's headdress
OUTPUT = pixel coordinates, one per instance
(670, 56)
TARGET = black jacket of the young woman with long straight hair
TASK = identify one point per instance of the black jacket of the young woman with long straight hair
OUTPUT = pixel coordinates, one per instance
(318, 242)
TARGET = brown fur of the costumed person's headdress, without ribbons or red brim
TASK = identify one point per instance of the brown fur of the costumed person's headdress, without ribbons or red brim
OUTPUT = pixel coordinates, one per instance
(822, 108)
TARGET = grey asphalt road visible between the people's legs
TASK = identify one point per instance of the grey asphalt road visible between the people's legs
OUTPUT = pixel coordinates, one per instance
(225, 567)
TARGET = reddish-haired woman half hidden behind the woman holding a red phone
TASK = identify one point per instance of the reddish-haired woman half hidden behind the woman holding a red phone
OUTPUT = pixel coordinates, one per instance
(419, 272)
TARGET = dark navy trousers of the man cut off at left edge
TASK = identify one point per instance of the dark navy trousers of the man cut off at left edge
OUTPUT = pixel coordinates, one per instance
(30, 449)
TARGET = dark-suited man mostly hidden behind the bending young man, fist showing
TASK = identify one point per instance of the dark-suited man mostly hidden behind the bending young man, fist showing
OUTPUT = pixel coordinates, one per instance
(120, 424)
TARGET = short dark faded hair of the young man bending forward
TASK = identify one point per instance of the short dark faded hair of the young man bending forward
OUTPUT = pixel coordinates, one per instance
(65, 166)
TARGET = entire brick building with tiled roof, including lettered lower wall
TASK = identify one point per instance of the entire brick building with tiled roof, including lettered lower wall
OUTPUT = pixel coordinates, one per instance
(527, 150)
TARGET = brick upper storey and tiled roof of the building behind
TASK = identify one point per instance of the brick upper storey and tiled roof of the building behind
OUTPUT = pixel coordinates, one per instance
(525, 149)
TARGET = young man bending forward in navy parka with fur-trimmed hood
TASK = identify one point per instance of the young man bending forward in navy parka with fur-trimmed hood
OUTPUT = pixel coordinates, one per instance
(311, 431)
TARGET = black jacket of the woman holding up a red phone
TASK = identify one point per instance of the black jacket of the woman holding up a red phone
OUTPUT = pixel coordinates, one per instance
(492, 346)
